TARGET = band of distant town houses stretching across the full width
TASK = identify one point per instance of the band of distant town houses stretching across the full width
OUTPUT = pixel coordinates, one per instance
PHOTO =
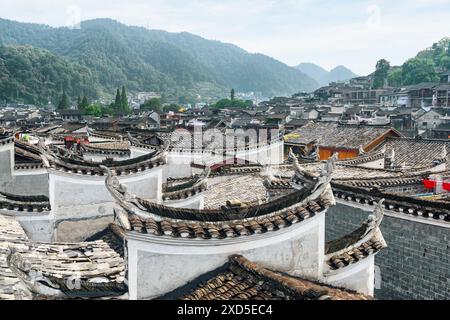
(420, 110)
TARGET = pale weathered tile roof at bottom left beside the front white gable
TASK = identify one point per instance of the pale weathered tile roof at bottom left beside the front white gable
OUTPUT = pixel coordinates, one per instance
(89, 269)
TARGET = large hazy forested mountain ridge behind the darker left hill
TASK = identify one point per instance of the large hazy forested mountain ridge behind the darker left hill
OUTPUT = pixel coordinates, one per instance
(153, 60)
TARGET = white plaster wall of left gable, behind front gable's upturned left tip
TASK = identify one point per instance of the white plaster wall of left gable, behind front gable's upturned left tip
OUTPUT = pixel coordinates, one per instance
(81, 205)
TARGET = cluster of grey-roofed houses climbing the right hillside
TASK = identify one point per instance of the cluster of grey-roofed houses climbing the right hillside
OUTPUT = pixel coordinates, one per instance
(420, 110)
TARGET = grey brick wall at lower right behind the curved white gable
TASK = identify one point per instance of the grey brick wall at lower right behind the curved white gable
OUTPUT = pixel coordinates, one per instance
(416, 264)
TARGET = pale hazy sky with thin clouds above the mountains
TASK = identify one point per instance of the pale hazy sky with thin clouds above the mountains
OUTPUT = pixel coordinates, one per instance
(355, 33)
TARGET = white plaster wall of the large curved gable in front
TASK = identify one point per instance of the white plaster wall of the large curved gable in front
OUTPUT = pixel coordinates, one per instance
(158, 265)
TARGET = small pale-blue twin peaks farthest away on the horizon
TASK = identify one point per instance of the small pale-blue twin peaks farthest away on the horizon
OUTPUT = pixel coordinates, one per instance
(324, 77)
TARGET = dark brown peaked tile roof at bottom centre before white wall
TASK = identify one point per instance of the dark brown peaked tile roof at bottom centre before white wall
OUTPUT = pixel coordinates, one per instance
(241, 279)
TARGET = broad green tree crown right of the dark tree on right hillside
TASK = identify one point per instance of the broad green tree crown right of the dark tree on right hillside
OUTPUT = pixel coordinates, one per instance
(418, 70)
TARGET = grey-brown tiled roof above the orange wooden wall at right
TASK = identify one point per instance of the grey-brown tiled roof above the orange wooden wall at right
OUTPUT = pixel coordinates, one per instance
(331, 134)
